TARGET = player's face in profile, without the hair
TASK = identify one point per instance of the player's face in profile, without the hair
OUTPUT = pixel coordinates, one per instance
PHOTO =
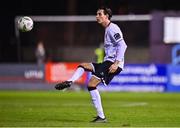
(101, 17)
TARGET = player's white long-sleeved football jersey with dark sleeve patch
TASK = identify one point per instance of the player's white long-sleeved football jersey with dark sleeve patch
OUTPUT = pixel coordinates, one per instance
(114, 44)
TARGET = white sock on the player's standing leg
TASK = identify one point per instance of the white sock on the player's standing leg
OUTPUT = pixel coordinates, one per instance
(96, 99)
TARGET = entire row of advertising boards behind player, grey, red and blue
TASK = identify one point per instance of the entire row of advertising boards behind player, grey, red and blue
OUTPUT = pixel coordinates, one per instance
(134, 77)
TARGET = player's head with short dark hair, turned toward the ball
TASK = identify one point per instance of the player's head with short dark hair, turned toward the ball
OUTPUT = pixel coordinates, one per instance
(104, 14)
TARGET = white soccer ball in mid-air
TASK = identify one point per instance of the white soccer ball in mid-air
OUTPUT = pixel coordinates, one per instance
(25, 24)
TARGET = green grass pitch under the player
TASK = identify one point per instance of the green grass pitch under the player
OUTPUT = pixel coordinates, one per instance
(74, 109)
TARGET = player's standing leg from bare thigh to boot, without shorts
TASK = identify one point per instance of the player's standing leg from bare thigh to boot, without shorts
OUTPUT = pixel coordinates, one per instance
(96, 99)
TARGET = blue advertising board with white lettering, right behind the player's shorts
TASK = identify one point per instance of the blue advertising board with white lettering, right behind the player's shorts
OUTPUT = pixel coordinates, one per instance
(139, 77)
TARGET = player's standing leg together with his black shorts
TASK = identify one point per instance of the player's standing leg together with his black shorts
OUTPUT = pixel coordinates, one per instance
(100, 74)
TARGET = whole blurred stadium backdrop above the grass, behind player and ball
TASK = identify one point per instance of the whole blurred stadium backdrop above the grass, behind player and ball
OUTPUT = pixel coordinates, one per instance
(151, 62)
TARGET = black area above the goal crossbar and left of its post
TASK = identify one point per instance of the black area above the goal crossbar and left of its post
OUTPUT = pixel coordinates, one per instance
(11, 8)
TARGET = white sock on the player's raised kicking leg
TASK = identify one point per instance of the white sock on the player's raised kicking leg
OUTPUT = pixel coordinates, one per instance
(77, 74)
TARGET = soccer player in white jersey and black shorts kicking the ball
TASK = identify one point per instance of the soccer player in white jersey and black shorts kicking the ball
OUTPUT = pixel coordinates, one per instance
(115, 47)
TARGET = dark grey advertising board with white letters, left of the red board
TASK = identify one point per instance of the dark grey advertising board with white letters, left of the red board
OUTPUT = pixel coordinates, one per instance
(22, 72)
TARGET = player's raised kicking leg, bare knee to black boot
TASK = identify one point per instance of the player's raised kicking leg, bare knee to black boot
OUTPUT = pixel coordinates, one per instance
(77, 74)
